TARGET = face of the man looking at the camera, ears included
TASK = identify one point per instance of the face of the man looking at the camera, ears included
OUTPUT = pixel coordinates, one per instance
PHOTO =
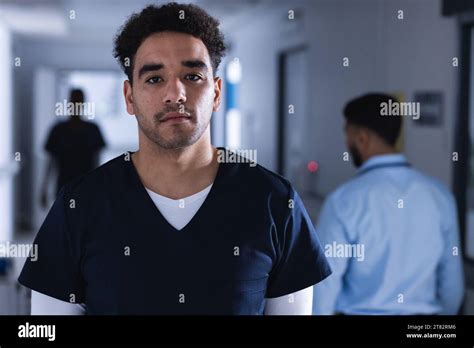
(174, 92)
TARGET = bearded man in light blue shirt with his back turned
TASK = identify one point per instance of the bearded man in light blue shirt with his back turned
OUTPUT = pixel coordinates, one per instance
(390, 233)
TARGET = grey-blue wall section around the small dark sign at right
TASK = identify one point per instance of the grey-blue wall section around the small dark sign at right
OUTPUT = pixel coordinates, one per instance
(419, 57)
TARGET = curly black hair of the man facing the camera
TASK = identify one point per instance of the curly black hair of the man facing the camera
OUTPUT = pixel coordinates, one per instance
(182, 18)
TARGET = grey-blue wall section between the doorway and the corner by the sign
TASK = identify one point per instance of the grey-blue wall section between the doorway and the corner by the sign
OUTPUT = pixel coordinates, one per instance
(339, 29)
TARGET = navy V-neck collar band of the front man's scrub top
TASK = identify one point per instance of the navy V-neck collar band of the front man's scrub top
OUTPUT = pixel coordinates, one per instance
(150, 210)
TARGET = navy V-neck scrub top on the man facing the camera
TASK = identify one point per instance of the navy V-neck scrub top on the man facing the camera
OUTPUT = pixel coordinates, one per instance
(104, 243)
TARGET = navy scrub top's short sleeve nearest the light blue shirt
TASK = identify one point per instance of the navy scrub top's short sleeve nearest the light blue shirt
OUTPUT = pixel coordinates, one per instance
(300, 259)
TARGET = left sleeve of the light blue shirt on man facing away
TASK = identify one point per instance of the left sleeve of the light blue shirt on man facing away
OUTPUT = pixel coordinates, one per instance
(331, 230)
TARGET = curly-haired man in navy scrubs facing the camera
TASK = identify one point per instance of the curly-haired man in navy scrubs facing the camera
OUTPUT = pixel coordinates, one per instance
(110, 241)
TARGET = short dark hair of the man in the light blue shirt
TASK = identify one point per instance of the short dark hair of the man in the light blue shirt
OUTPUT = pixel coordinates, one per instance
(365, 111)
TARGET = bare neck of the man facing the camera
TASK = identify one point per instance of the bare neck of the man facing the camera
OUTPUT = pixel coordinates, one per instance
(177, 173)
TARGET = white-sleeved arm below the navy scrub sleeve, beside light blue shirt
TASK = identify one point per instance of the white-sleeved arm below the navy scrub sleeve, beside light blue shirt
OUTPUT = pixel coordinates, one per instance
(297, 303)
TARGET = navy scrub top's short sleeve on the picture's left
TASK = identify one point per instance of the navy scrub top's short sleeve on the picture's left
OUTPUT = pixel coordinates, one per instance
(54, 269)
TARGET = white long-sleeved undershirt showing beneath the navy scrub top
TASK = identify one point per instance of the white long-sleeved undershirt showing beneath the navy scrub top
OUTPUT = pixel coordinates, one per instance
(178, 213)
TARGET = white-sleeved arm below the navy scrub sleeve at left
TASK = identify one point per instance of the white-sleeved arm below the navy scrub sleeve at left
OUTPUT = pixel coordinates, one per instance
(45, 305)
